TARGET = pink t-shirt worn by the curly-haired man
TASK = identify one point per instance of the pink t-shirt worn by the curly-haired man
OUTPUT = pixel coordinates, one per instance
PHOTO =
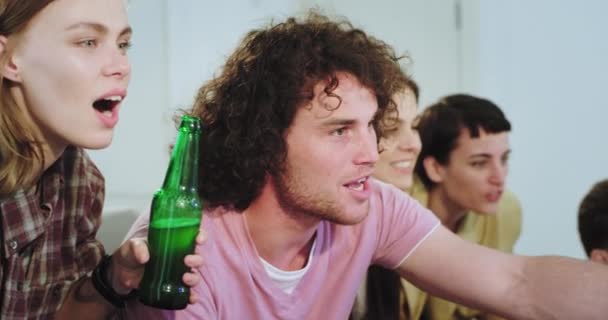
(235, 284)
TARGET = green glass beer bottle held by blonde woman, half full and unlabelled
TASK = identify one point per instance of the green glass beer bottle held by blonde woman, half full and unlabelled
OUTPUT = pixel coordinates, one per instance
(175, 218)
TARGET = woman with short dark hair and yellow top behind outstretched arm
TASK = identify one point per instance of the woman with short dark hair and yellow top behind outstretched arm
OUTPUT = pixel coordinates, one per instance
(460, 176)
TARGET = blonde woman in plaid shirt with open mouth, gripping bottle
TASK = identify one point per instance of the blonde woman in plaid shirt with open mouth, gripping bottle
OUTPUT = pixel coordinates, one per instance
(64, 73)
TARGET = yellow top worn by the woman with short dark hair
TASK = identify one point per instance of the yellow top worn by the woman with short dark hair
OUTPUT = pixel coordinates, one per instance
(499, 231)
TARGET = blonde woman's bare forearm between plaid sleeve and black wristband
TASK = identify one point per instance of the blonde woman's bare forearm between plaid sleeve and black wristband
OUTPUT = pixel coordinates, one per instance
(84, 302)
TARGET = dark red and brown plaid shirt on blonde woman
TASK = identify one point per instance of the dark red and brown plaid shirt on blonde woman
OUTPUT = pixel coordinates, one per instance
(48, 237)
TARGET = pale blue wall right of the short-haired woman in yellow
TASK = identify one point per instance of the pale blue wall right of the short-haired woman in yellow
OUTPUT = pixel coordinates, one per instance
(545, 63)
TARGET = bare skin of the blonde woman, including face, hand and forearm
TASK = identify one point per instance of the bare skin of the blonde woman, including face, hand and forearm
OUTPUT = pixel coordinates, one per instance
(71, 56)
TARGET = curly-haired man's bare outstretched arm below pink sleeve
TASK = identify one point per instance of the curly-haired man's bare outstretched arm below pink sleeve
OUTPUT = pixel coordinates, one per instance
(515, 287)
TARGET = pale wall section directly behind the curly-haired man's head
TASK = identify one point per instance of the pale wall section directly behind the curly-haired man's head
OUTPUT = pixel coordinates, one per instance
(202, 36)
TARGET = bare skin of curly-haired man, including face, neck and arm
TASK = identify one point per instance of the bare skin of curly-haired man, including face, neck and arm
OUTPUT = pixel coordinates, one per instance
(515, 287)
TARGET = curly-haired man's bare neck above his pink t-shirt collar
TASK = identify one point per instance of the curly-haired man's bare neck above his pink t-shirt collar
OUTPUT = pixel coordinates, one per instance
(283, 239)
